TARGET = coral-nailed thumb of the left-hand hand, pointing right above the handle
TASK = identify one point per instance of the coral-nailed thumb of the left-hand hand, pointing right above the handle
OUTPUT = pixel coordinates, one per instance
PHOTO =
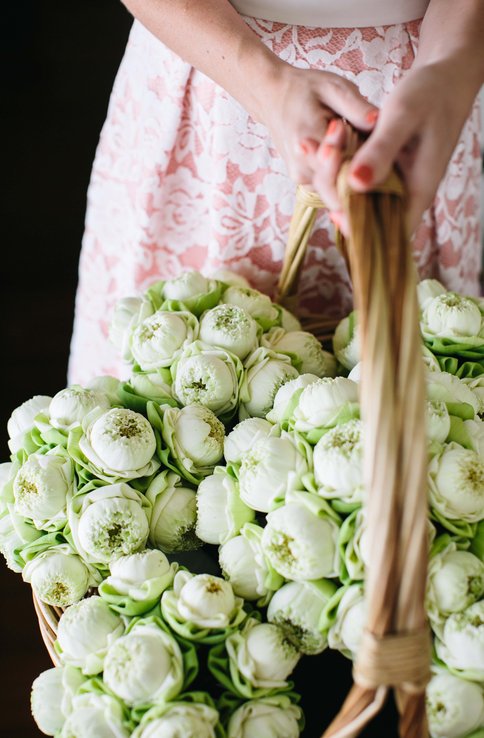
(345, 99)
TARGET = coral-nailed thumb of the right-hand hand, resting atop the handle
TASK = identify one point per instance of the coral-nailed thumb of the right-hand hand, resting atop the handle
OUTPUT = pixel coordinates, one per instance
(373, 161)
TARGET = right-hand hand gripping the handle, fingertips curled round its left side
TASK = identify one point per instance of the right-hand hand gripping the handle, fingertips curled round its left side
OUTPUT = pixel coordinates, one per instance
(417, 129)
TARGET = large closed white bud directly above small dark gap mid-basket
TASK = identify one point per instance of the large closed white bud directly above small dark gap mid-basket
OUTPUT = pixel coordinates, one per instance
(270, 468)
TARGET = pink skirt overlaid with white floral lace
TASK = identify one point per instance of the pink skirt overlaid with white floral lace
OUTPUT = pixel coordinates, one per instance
(185, 179)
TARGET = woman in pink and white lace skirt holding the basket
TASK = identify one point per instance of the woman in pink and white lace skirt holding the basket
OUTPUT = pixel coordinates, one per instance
(216, 115)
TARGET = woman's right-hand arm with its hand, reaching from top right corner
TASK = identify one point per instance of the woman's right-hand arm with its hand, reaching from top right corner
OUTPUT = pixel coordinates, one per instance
(420, 123)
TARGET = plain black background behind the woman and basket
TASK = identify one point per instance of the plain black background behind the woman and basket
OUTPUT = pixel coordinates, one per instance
(59, 60)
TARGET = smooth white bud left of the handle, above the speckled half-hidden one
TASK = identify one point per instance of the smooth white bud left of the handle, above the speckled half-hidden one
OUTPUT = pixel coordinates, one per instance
(322, 403)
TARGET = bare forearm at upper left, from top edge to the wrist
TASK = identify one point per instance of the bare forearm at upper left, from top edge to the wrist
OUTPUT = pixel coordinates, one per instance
(212, 37)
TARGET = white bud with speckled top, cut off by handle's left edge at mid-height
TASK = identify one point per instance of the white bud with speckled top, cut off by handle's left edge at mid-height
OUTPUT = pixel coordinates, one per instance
(338, 462)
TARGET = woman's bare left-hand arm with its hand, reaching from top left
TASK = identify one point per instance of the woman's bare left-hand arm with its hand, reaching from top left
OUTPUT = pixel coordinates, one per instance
(294, 104)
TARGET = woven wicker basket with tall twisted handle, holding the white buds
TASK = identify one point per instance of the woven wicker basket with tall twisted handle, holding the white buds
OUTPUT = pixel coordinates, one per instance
(395, 651)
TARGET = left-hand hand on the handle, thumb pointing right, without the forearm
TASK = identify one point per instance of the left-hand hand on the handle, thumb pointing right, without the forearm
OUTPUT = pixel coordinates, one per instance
(301, 107)
